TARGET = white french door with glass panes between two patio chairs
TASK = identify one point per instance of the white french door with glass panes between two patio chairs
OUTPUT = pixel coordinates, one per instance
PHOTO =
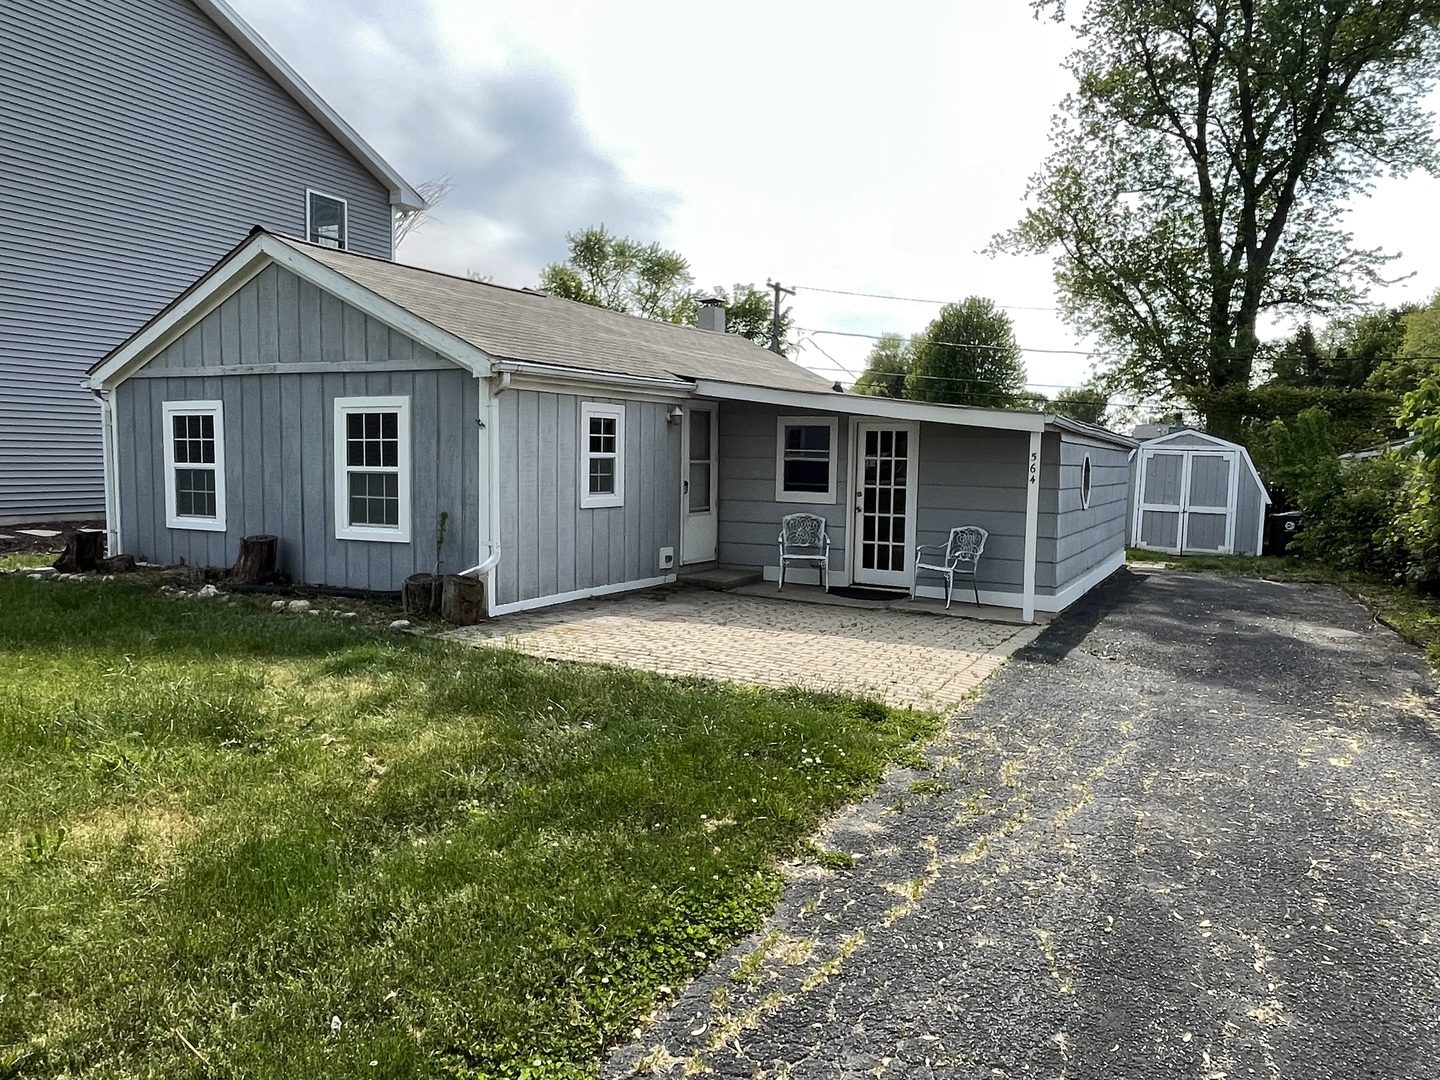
(883, 535)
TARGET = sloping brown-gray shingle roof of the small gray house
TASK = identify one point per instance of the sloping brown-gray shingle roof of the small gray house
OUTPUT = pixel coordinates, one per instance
(528, 326)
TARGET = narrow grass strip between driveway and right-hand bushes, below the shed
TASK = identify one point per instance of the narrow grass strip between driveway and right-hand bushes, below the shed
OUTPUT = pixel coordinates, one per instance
(1416, 618)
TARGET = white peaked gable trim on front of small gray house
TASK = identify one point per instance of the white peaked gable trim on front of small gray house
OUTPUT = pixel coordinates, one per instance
(243, 266)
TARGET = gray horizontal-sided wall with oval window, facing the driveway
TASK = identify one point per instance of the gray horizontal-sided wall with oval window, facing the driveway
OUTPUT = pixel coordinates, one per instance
(1086, 536)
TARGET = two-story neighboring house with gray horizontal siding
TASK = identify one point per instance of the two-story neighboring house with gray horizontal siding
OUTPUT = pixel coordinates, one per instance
(140, 140)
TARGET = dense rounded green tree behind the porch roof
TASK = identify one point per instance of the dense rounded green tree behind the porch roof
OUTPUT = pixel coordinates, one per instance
(968, 356)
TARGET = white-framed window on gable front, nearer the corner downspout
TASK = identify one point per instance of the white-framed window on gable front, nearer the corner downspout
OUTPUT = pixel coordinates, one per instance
(374, 469)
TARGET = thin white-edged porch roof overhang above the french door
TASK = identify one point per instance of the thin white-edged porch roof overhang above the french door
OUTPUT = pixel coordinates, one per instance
(898, 410)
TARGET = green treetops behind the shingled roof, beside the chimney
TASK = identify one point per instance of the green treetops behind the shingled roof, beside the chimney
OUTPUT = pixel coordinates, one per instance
(617, 273)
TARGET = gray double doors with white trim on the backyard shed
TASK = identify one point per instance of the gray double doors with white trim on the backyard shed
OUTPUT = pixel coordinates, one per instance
(1187, 500)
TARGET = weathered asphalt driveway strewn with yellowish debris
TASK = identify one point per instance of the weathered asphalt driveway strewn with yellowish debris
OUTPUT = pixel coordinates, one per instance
(1192, 832)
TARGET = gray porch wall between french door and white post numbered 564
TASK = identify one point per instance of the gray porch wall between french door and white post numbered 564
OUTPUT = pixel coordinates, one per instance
(977, 477)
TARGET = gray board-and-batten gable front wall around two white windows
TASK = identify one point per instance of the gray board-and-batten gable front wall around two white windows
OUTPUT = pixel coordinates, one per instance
(277, 354)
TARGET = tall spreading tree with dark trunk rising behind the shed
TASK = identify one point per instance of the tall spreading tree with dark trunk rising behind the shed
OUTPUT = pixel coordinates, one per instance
(1200, 171)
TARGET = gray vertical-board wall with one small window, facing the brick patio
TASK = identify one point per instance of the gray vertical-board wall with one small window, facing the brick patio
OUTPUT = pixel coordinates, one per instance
(549, 544)
